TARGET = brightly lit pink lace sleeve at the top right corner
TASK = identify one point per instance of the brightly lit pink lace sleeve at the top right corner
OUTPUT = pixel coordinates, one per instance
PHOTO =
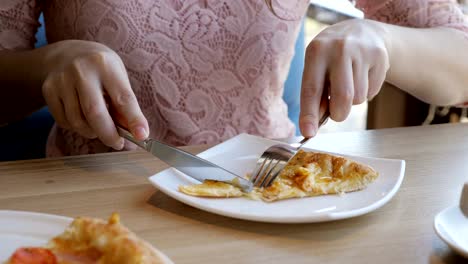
(416, 13)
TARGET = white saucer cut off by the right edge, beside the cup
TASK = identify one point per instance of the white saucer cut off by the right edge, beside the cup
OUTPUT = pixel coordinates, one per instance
(452, 227)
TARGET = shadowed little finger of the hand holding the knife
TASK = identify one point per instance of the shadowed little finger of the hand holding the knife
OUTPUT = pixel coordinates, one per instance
(54, 103)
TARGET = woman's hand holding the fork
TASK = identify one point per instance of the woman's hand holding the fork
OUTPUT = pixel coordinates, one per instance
(347, 64)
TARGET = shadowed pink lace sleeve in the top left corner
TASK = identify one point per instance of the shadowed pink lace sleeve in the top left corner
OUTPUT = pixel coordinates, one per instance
(18, 24)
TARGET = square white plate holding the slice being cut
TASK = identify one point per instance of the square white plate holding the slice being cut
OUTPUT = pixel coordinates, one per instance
(239, 155)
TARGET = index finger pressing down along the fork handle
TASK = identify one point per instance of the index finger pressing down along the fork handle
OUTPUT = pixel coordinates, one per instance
(311, 92)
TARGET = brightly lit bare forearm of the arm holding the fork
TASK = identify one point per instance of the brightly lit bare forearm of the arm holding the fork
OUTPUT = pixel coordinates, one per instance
(431, 64)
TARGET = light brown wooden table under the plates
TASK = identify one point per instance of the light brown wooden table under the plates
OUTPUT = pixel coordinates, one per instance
(399, 232)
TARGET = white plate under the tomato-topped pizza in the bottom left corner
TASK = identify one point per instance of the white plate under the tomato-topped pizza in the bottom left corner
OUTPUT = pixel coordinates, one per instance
(22, 229)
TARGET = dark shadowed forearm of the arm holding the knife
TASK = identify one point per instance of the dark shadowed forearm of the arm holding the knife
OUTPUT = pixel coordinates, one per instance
(21, 77)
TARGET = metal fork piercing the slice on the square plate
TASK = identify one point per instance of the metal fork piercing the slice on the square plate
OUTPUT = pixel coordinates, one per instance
(273, 160)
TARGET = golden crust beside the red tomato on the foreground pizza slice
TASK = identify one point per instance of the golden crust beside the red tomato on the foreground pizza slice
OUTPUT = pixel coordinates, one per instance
(107, 242)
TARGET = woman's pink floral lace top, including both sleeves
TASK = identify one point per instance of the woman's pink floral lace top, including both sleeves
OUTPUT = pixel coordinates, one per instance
(203, 71)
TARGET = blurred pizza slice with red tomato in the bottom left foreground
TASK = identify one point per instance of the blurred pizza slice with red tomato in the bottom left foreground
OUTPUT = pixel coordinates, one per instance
(90, 240)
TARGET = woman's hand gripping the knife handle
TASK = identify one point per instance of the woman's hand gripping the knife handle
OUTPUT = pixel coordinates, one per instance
(83, 80)
